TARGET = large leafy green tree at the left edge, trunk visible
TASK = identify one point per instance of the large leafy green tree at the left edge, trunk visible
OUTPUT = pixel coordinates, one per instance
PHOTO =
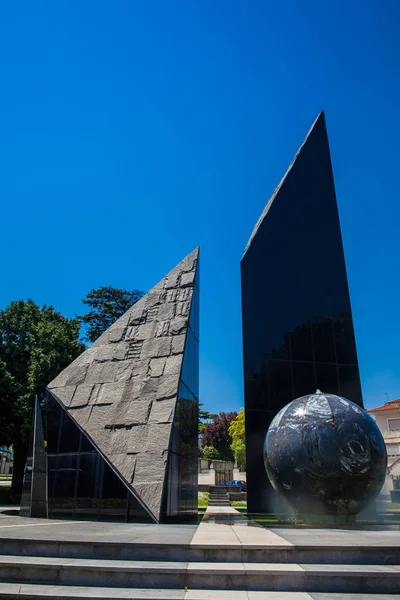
(36, 343)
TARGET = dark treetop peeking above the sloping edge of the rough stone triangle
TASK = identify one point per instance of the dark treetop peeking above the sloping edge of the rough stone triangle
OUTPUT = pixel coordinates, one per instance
(107, 304)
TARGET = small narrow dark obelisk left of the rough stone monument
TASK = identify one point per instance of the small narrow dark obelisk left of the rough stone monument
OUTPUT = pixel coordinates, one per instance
(34, 489)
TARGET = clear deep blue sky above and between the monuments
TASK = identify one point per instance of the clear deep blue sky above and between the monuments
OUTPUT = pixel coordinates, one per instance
(133, 131)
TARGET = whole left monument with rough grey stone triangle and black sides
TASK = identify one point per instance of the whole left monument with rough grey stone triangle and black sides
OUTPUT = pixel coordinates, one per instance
(122, 419)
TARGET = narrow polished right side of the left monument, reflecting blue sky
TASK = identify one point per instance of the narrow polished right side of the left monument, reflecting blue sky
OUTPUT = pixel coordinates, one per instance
(181, 492)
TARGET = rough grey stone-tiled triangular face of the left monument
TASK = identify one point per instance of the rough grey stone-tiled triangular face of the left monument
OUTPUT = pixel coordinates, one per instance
(122, 390)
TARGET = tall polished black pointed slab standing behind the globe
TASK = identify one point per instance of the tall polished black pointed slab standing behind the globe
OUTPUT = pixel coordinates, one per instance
(297, 323)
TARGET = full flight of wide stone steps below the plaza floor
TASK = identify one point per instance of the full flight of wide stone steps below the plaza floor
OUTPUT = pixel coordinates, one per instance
(33, 569)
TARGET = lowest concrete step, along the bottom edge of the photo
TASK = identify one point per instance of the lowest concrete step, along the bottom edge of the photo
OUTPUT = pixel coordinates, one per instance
(35, 592)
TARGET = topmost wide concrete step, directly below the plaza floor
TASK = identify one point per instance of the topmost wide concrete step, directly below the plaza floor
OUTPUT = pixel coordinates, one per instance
(224, 552)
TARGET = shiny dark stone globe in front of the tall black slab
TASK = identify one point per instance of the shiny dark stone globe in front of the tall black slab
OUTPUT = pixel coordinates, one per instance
(325, 455)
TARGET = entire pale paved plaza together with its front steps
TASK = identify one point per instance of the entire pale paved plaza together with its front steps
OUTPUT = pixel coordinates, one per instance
(226, 556)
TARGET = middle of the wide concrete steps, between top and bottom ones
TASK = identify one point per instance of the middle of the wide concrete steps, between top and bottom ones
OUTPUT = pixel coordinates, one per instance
(201, 575)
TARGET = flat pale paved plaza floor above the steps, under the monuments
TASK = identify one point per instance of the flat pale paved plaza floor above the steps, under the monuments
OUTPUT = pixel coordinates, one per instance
(218, 528)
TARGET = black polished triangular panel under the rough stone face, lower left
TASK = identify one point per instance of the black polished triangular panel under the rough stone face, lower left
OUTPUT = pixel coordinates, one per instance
(81, 484)
